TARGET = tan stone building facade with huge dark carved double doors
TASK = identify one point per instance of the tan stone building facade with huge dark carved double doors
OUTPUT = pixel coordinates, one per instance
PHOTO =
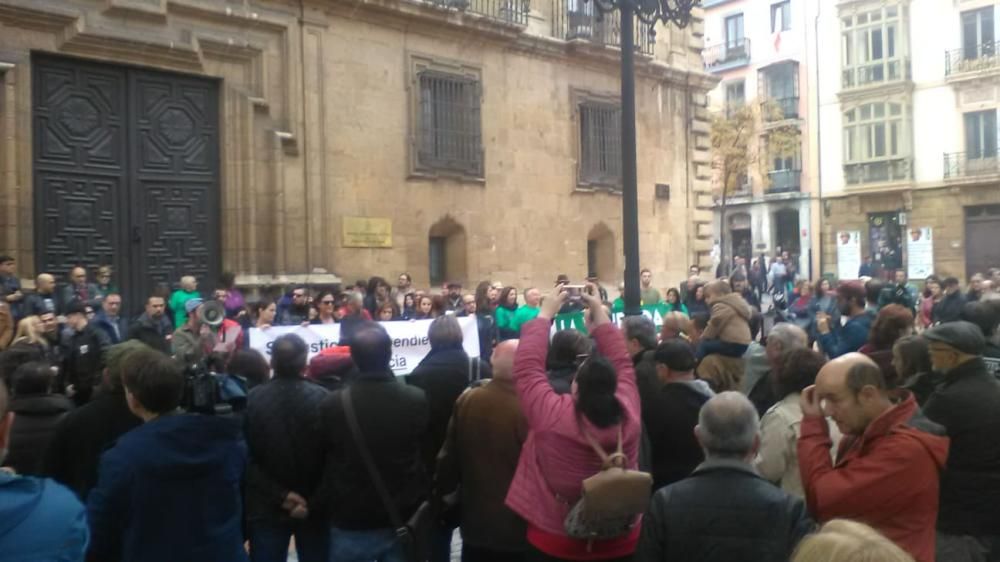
(298, 140)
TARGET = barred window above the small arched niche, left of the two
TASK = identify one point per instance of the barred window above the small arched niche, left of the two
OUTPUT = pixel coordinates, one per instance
(448, 133)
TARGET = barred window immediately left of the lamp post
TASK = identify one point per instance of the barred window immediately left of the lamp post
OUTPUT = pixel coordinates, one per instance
(600, 144)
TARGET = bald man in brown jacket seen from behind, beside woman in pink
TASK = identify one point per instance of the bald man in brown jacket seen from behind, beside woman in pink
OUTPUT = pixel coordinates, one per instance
(480, 453)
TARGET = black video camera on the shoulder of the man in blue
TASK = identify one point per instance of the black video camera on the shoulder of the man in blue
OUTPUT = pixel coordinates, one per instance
(208, 391)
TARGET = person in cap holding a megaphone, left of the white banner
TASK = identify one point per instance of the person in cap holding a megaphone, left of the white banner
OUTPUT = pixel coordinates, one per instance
(206, 331)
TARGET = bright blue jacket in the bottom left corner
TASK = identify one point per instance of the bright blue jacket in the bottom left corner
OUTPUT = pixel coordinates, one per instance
(40, 520)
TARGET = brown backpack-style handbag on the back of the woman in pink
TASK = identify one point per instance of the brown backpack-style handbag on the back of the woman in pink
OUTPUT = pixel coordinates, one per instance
(611, 500)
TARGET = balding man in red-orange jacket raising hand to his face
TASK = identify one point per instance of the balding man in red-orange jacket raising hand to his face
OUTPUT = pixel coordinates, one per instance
(890, 461)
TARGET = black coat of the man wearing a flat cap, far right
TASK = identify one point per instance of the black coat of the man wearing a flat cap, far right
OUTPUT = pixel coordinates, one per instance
(965, 403)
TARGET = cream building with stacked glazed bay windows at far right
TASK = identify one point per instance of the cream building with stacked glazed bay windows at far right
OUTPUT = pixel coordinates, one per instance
(908, 118)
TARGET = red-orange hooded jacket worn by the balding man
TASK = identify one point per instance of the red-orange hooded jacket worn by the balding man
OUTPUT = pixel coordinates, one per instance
(887, 478)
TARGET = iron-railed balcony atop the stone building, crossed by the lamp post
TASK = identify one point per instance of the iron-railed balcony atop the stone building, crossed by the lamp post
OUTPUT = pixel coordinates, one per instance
(576, 20)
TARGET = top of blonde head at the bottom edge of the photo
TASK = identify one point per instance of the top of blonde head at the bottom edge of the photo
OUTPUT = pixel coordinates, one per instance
(841, 540)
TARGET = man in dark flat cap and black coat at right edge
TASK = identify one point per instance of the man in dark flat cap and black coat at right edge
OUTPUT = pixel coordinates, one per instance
(966, 405)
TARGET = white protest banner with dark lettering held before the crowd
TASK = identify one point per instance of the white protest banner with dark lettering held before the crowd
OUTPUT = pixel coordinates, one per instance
(409, 340)
